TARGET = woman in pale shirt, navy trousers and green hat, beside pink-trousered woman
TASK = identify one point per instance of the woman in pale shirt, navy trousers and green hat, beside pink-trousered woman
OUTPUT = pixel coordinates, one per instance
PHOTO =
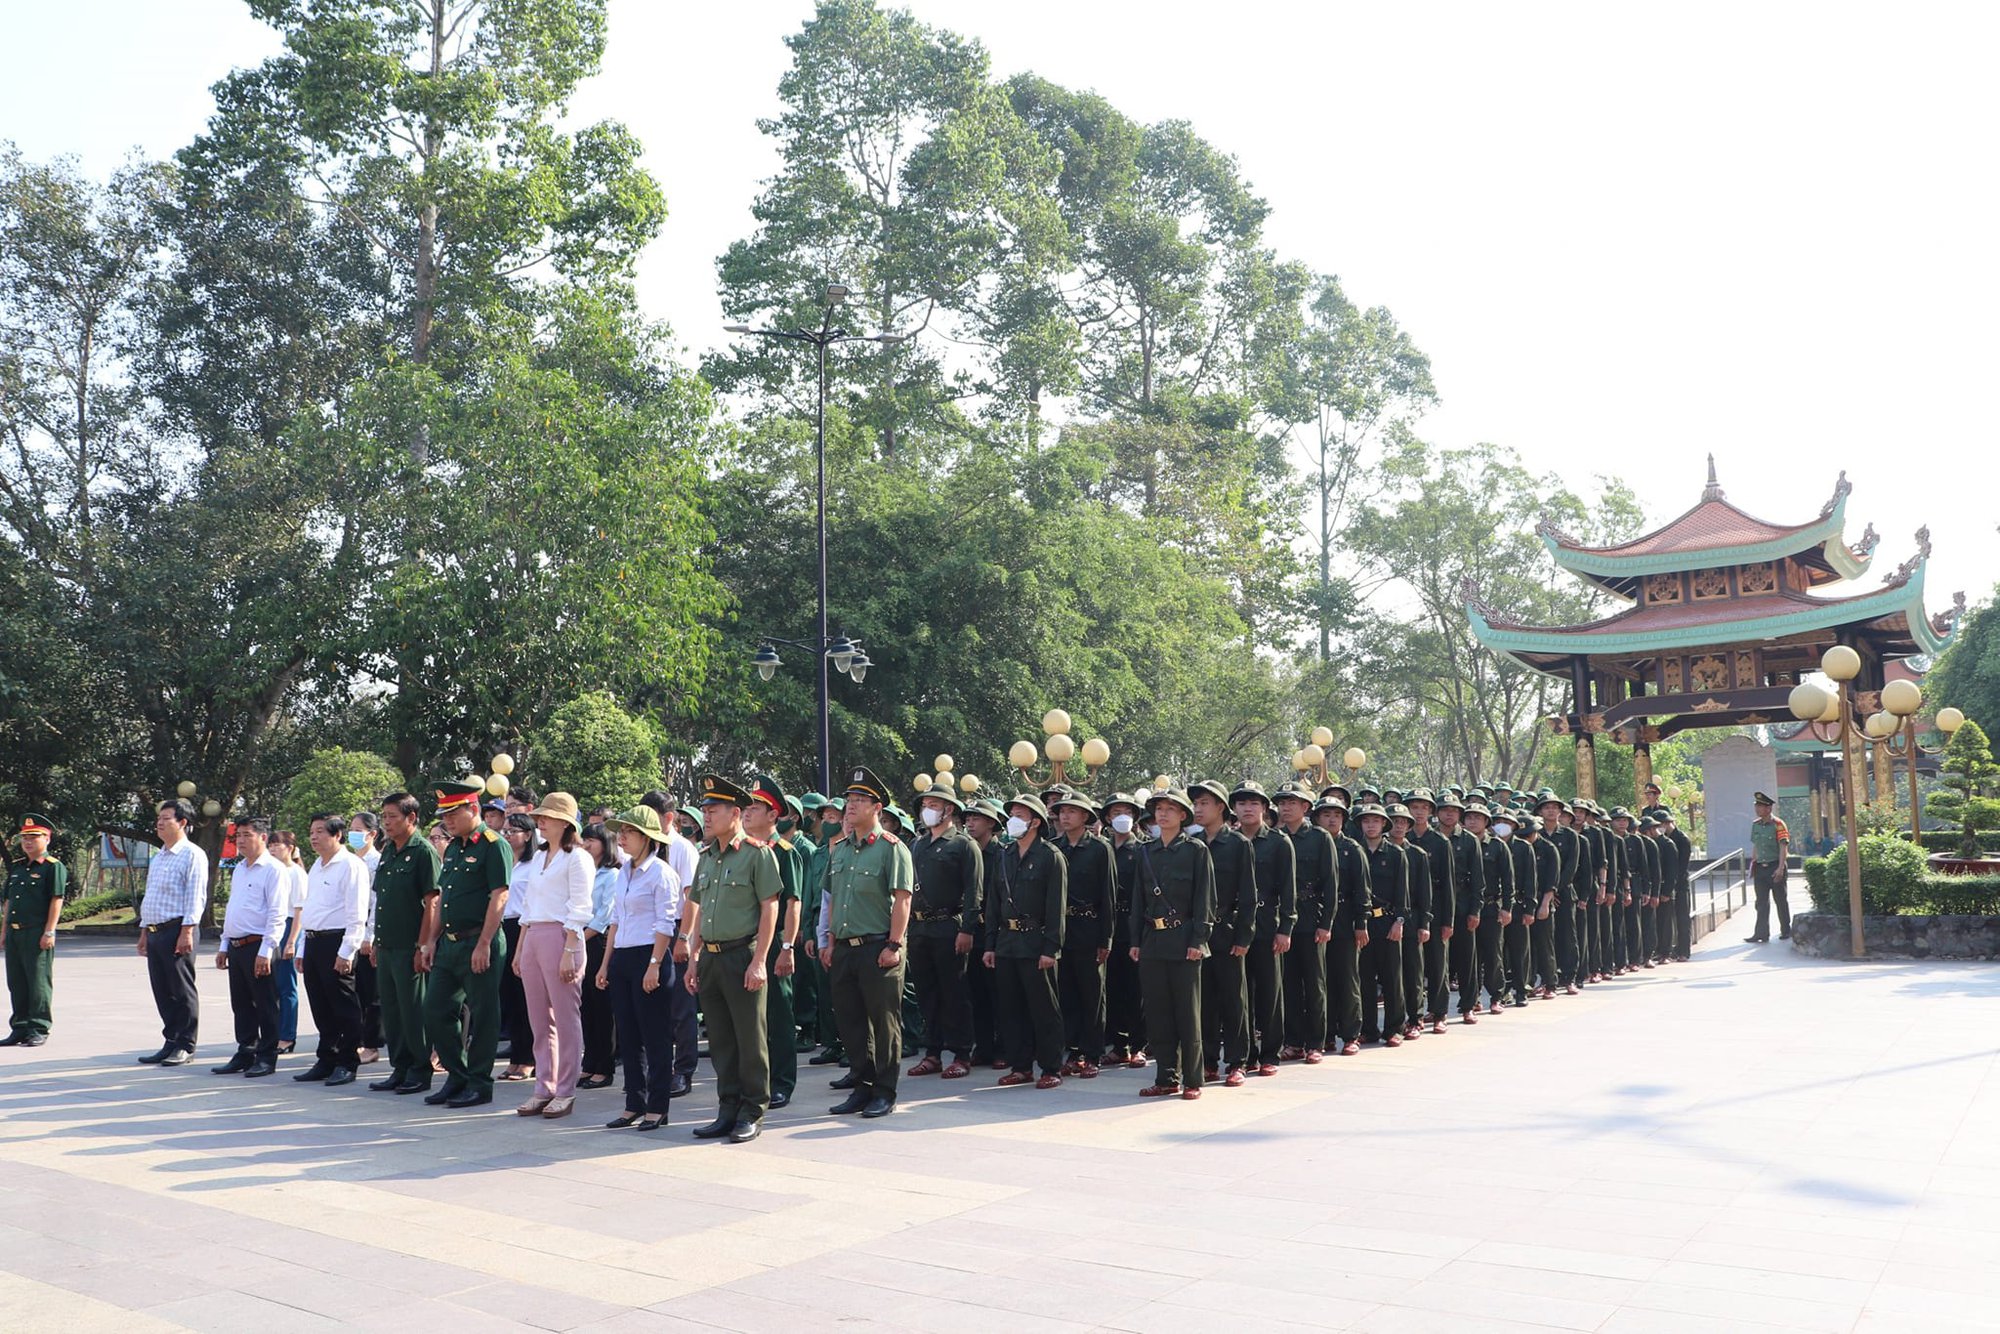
(641, 943)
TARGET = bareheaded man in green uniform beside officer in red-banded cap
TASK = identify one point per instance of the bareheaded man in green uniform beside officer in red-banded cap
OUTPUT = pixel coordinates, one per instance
(407, 919)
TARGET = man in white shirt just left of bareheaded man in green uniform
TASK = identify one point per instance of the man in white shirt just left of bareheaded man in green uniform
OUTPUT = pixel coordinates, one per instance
(333, 923)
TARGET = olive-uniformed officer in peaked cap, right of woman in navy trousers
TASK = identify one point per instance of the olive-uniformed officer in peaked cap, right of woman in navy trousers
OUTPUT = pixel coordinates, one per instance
(733, 921)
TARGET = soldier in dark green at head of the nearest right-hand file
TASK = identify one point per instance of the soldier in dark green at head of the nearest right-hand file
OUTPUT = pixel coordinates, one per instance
(1173, 909)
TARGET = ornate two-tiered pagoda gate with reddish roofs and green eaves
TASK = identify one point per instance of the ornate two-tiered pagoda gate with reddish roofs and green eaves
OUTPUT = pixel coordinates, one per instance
(1723, 623)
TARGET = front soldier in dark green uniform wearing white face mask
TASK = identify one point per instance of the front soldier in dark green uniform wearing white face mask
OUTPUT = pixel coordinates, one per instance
(1025, 921)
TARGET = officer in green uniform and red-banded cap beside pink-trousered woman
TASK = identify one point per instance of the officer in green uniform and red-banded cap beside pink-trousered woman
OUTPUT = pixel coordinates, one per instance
(469, 953)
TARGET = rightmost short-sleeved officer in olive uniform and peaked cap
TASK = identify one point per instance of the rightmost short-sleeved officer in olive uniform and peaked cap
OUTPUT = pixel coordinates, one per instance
(869, 887)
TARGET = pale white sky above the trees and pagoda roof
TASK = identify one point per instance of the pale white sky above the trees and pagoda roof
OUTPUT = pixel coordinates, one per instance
(1627, 235)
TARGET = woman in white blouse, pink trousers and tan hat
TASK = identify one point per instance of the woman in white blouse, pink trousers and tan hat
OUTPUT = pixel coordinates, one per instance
(553, 889)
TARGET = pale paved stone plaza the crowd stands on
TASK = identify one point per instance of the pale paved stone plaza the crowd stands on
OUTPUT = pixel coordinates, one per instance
(1737, 1143)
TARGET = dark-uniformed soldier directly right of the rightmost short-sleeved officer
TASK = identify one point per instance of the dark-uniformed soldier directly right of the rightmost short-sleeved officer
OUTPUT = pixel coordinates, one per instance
(943, 921)
